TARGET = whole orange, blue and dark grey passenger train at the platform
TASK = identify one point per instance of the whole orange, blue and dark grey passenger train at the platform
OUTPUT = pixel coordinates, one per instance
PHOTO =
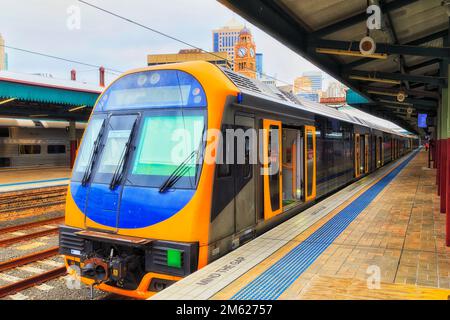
(137, 221)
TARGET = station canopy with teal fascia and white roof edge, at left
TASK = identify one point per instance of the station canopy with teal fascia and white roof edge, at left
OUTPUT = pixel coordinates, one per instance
(35, 96)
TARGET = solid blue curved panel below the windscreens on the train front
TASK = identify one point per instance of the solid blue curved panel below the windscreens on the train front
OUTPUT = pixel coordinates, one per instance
(139, 207)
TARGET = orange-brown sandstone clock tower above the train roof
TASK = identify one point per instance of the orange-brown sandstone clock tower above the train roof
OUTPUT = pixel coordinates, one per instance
(245, 54)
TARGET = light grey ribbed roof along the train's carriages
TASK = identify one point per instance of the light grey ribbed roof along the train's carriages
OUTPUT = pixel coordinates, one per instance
(259, 89)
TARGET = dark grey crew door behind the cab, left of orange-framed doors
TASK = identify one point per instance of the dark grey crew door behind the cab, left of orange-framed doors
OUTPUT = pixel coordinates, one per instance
(245, 182)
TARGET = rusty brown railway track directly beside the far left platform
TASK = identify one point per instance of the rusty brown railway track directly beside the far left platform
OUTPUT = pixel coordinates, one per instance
(32, 199)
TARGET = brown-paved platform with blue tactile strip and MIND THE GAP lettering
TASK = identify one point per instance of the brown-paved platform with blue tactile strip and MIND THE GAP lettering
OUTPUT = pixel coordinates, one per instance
(382, 237)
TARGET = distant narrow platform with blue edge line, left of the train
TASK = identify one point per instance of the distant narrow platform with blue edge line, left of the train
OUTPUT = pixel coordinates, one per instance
(12, 180)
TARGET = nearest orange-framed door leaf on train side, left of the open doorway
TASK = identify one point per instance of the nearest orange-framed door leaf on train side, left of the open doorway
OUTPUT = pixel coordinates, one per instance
(272, 169)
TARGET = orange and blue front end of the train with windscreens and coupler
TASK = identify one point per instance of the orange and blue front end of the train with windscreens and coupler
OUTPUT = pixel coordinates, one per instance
(134, 223)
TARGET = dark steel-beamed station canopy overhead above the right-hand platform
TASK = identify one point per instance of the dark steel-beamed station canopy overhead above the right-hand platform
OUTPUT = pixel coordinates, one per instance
(410, 48)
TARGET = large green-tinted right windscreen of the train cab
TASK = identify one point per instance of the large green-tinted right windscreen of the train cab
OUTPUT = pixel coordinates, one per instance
(167, 141)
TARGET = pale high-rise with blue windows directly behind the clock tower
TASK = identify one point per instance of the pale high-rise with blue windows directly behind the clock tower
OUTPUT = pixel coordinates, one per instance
(225, 38)
